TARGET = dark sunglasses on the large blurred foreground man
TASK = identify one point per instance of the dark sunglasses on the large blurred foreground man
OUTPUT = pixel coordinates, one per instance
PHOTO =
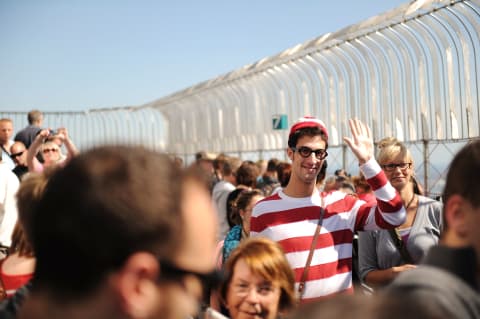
(171, 272)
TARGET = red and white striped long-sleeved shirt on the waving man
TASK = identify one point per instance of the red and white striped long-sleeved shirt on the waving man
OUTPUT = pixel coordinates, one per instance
(292, 222)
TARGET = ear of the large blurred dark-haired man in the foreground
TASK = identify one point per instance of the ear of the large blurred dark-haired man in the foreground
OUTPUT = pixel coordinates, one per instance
(135, 285)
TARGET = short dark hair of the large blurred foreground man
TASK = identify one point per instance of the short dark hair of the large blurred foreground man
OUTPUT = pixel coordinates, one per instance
(104, 205)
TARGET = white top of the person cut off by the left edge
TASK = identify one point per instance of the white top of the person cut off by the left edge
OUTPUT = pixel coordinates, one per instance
(9, 185)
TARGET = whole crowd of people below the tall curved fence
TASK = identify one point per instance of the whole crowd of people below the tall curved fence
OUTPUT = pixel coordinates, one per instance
(127, 232)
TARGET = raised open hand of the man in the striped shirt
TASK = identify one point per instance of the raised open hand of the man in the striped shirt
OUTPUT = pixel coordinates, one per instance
(361, 142)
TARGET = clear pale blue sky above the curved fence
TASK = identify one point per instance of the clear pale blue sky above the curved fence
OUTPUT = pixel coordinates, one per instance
(77, 55)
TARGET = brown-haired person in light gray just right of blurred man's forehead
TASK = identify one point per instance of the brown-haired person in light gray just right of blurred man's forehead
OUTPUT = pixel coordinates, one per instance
(222, 189)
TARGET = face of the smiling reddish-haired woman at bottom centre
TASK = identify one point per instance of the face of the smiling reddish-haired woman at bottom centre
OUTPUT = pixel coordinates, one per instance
(250, 296)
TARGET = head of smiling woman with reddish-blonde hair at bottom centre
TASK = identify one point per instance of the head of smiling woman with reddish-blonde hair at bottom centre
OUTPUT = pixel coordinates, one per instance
(259, 281)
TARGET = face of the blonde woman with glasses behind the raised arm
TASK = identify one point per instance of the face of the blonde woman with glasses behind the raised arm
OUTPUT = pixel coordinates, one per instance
(399, 171)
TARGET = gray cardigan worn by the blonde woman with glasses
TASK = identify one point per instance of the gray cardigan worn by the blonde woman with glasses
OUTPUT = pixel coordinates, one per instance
(376, 249)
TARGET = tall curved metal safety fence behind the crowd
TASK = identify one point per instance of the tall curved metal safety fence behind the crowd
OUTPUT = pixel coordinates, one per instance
(412, 73)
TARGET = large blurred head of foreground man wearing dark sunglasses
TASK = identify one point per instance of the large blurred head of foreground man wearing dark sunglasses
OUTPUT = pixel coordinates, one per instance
(122, 232)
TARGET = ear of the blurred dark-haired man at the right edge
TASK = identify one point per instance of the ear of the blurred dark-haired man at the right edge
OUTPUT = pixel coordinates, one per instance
(455, 216)
